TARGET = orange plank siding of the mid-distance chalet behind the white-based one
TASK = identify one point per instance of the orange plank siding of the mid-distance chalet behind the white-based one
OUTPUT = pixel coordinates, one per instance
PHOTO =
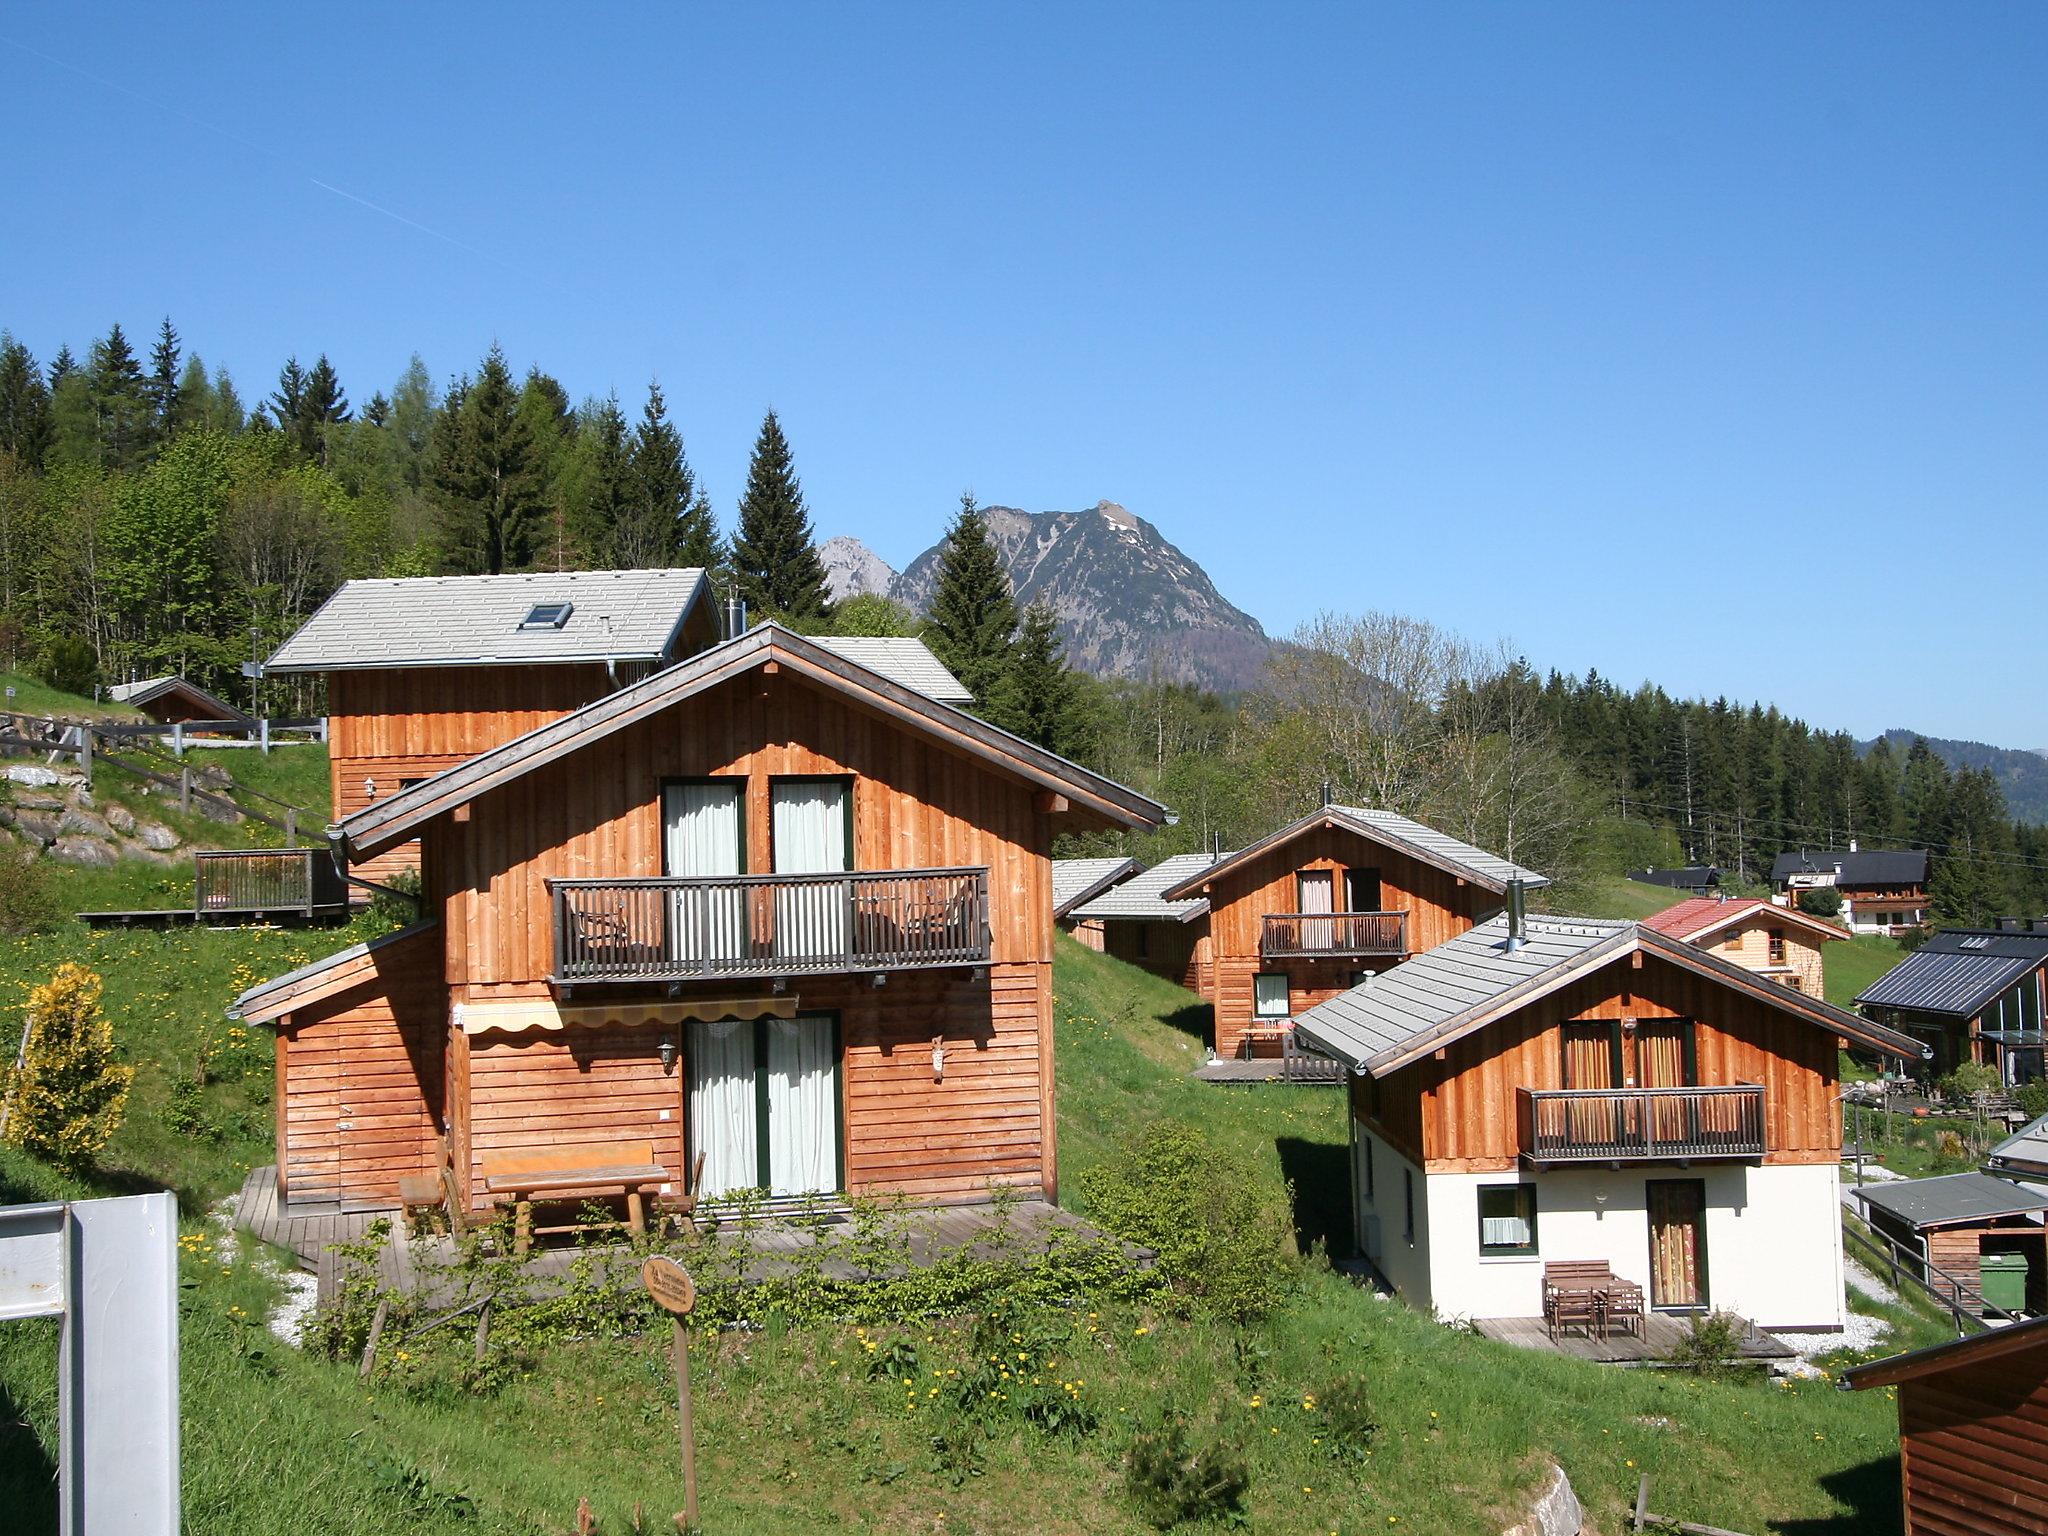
(1439, 908)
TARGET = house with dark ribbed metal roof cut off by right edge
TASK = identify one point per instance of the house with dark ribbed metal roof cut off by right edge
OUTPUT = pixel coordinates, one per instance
(1971, 994)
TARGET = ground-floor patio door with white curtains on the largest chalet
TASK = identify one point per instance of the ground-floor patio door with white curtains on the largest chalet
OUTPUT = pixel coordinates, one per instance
(765, 1105)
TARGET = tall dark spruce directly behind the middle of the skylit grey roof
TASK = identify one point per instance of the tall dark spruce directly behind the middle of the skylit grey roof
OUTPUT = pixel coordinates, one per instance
(490, 497)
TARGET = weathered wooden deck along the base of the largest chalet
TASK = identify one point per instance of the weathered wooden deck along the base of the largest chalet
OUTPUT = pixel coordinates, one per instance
(775, 1242)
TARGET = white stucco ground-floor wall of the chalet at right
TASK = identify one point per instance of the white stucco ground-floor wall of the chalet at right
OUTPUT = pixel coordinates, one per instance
(1773, 1240)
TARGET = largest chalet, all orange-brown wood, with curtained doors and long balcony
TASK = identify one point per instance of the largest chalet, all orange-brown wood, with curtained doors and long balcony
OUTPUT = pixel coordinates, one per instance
(765, 912)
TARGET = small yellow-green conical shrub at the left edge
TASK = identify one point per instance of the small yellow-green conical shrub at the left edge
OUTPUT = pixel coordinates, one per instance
(71, 1093)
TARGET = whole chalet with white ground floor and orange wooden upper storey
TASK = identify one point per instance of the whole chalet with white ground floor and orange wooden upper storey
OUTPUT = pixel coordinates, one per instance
(1551, 1095)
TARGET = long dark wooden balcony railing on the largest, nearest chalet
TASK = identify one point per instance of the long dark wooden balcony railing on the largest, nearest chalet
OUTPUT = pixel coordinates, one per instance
(703, 929)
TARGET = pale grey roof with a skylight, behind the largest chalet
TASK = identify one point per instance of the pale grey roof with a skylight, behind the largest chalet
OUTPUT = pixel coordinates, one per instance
(476, 622)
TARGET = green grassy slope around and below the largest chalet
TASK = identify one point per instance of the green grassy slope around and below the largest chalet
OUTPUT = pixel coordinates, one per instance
(800, 1437)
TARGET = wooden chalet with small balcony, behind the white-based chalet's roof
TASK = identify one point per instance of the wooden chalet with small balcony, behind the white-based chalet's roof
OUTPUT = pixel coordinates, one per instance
(1304, 914)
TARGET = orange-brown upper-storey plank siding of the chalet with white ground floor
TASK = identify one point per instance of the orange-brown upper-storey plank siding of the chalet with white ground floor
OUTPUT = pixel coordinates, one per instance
(1457, 1111)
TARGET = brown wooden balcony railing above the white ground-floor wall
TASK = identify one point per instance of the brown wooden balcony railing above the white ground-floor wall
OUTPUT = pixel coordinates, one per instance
(1641, 1123)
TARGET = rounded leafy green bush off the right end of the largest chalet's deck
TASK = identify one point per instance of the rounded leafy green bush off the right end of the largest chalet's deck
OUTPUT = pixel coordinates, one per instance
(1220, 1244)
